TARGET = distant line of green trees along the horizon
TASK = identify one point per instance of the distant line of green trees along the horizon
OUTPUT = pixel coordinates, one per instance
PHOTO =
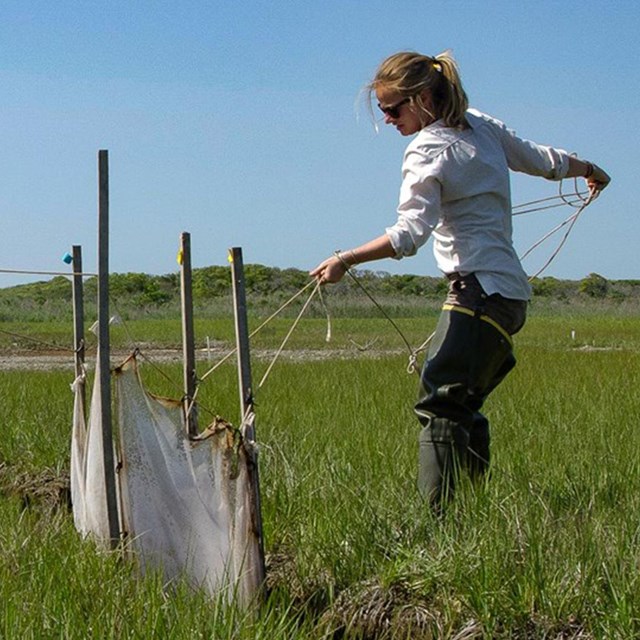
(50, 299)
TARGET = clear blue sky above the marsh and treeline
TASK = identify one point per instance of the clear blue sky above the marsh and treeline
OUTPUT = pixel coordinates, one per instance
(241, 123)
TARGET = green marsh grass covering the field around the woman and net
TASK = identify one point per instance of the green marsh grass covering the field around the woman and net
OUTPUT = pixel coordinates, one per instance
(548, 548)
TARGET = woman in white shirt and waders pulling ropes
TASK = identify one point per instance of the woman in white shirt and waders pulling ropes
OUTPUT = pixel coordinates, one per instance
(455, 188)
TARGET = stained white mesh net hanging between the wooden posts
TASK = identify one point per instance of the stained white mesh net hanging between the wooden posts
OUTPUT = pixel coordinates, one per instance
(188, 507)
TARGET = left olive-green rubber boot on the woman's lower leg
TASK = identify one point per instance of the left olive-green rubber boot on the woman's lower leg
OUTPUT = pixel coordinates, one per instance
(443, 447)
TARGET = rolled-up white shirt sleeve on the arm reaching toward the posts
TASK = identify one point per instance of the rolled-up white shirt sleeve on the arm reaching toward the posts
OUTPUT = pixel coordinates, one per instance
(419, 206)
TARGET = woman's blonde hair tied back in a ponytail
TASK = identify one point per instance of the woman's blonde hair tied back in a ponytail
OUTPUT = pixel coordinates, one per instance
(409, 74)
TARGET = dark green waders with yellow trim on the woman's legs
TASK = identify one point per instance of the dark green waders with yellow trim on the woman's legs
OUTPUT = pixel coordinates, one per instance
(469, 355)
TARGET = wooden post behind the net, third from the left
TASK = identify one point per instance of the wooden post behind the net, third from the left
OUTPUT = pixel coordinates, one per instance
(188, 347)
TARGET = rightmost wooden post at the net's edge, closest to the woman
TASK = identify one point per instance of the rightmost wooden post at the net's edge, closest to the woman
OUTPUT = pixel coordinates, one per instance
(246, 395)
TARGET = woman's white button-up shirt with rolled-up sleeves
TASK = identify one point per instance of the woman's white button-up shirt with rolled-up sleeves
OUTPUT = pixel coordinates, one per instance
(455, 187)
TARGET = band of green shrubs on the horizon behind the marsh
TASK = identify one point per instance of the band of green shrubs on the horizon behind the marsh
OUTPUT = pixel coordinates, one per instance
(139, 295)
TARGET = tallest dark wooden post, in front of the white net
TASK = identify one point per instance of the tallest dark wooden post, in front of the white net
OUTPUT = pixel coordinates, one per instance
(104, 347)
